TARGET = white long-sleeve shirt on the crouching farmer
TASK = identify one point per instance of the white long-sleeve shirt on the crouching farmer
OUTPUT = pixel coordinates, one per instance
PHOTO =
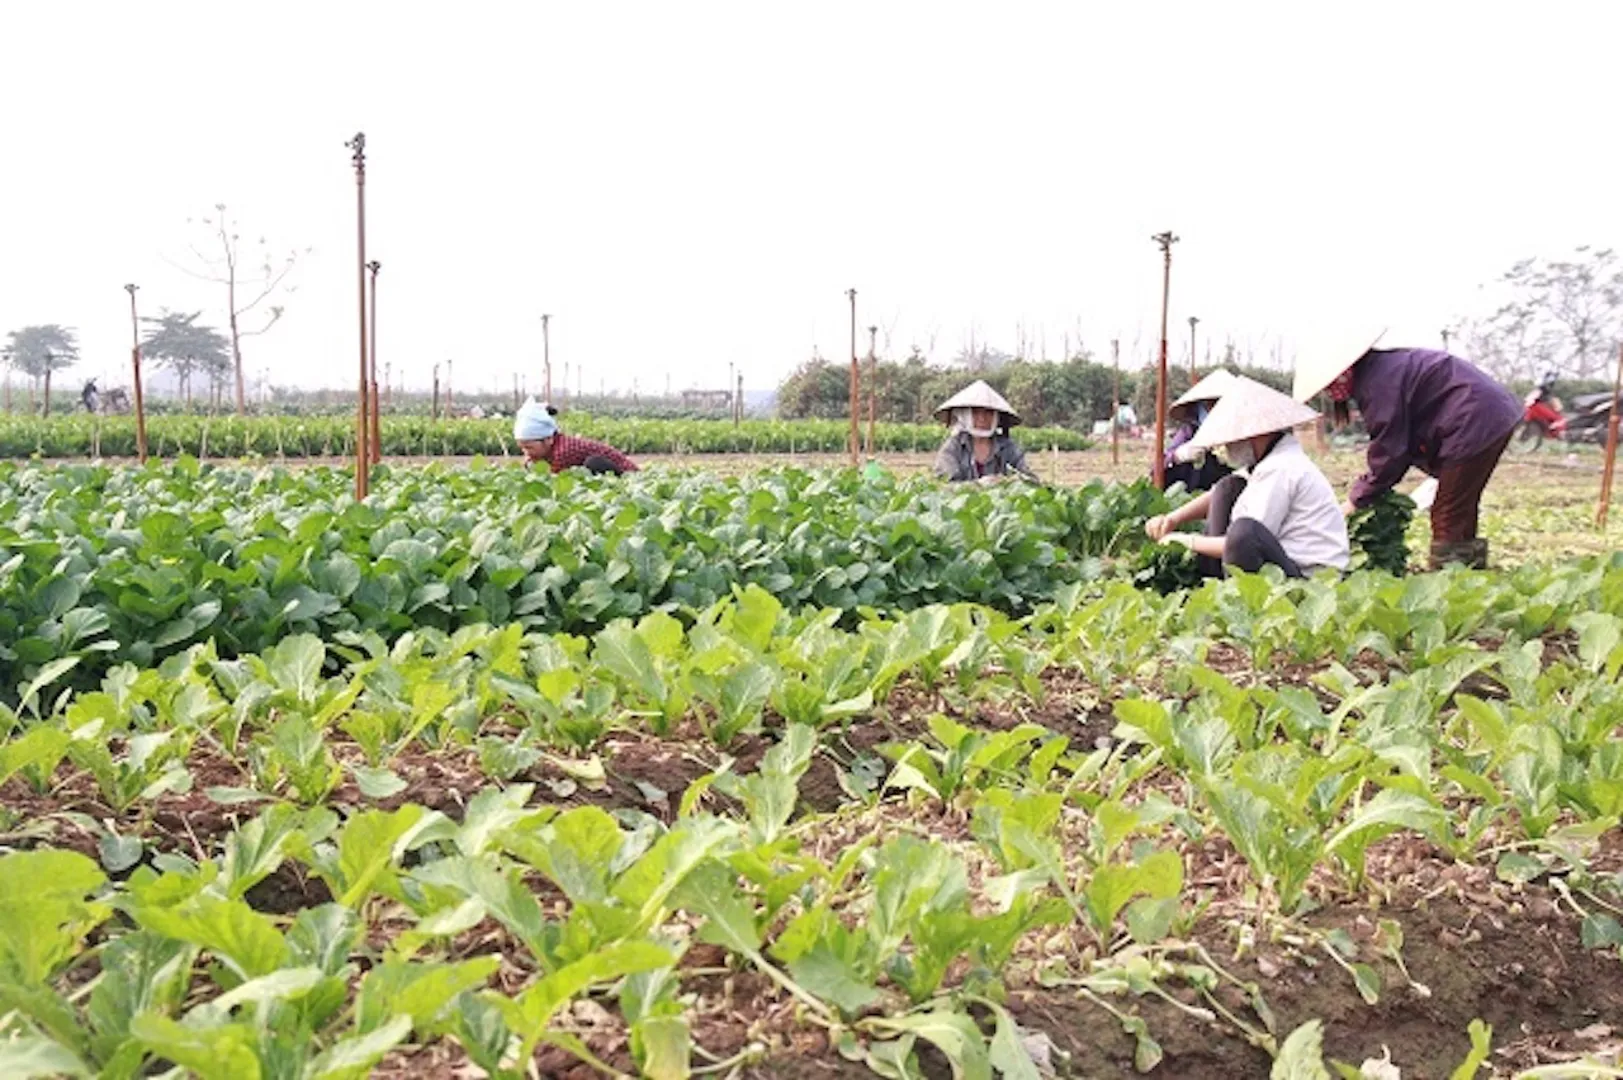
(1291, 498)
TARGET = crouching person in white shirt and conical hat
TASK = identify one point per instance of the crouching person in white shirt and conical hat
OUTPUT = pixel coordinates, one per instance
(1283, 512)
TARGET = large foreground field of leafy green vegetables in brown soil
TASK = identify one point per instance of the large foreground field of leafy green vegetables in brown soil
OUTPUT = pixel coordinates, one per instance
(791, 775)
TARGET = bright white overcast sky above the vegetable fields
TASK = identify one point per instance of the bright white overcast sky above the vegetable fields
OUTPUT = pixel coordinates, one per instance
(686, 186)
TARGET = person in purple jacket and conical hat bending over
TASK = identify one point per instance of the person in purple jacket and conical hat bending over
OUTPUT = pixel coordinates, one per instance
(1431, 410)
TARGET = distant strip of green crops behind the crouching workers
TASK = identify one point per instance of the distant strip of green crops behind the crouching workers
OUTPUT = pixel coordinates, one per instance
(82, 436)
